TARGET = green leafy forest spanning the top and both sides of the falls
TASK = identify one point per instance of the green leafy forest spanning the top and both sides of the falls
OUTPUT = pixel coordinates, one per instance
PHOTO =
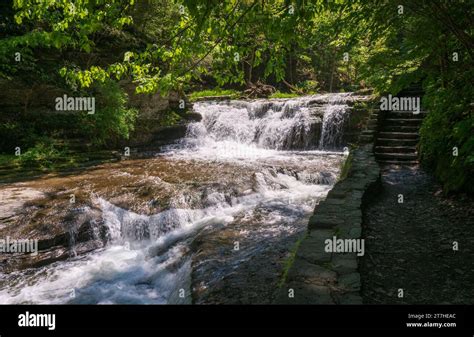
(91, 47)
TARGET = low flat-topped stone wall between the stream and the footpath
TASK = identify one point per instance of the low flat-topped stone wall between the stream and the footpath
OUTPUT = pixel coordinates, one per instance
(320, 277)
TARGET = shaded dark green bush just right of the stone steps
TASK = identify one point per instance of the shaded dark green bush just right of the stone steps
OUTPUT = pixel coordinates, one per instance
(450, 125)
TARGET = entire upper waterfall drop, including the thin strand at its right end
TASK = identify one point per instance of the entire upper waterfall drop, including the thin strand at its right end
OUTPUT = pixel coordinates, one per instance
(304, 123)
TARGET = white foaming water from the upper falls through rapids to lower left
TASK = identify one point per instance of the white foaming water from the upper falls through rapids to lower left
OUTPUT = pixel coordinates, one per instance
(148, 258)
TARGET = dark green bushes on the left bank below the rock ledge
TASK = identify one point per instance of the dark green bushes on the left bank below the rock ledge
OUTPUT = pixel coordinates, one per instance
(35, 133)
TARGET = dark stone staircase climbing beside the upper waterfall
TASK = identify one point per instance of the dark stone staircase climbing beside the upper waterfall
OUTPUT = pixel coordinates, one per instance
(397, 134)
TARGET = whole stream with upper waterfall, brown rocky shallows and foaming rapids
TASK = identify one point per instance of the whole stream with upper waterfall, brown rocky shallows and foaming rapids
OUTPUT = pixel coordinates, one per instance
(211, 218)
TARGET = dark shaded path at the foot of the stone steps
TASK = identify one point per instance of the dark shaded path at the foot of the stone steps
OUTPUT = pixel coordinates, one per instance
(409, 245)
